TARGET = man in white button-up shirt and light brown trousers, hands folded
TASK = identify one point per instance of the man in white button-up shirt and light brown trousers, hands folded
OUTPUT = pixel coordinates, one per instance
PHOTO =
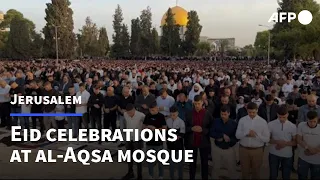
(253, 133)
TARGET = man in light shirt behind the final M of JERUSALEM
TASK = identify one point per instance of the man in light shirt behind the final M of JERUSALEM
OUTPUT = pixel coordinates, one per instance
(82, 108)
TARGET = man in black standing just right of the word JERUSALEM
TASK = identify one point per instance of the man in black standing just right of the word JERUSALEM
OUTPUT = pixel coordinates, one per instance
(95, 104)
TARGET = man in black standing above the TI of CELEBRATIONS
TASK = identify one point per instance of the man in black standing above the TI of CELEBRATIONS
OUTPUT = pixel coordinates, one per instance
(124, 100)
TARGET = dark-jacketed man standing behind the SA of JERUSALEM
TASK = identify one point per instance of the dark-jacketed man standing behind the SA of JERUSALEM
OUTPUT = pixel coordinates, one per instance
(49, 108)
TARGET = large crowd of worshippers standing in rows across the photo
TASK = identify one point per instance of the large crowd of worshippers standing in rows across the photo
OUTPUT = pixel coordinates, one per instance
(231, 115)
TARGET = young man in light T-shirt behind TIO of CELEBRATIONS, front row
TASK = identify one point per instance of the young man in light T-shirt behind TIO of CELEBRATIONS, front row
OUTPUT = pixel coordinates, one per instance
(134, 120)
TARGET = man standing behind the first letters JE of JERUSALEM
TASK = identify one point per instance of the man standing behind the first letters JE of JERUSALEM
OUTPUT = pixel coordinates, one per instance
(15, 108)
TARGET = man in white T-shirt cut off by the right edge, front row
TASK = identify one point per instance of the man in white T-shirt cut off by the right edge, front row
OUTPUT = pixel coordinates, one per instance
(309, 147)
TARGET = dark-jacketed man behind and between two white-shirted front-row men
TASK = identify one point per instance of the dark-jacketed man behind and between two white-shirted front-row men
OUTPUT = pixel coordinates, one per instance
(268, 109)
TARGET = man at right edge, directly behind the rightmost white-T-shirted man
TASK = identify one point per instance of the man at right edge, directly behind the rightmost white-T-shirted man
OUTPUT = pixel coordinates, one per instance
(311, 106)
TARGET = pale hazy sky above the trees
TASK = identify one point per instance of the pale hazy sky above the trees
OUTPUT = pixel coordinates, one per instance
(219, 18)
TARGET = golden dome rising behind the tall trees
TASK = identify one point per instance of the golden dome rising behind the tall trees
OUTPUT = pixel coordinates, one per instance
(180, 15)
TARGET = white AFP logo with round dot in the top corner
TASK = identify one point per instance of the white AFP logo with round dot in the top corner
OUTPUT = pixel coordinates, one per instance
(304, 17)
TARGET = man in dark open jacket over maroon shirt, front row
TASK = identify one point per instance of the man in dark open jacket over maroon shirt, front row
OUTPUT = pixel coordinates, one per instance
(198, 123)
